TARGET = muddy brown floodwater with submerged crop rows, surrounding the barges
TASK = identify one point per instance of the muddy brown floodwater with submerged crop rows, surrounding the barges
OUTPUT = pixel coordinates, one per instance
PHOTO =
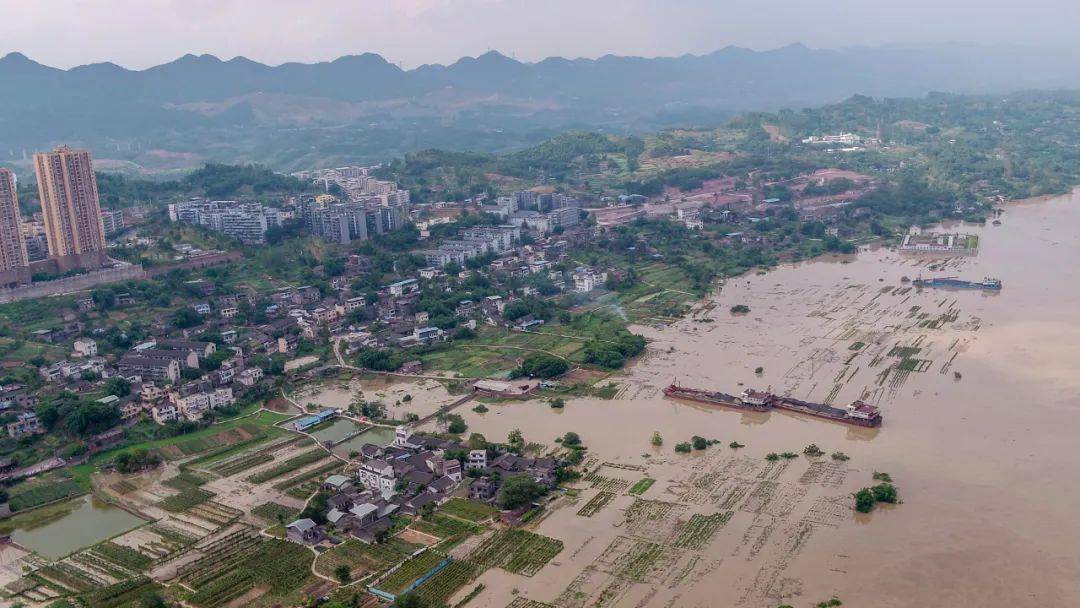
(980, 398)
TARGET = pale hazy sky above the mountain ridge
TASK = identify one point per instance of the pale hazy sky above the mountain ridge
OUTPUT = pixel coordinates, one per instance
(139, 34)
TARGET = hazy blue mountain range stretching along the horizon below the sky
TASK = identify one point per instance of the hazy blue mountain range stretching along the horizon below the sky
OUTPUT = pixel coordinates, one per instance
(204, 94)
